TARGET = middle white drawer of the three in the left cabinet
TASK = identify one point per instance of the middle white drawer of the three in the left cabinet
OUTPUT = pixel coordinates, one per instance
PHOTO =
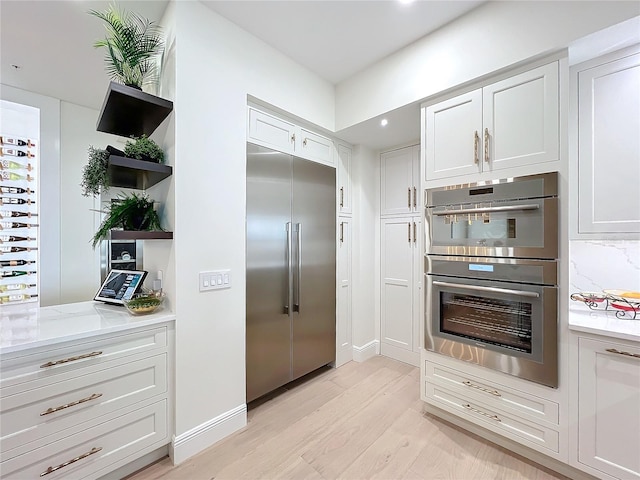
(37, 413)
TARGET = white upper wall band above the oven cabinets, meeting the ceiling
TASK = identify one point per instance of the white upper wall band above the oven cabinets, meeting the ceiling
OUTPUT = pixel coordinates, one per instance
(491, 37)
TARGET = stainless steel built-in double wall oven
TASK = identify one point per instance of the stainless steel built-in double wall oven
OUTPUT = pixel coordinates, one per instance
(491, 268)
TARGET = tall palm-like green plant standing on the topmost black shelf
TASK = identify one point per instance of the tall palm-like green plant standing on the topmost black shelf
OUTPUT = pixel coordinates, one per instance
(132, 42)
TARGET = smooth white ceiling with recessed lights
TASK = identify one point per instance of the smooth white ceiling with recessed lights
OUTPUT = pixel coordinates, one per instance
(334, 39)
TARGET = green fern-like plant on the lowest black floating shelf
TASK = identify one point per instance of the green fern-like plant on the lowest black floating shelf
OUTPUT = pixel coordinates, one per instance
(129, 212)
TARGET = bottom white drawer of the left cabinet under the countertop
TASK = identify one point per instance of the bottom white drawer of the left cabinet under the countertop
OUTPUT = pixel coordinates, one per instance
(119, 441)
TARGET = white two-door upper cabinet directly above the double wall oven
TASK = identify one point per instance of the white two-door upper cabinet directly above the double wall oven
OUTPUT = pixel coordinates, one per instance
(510, 123)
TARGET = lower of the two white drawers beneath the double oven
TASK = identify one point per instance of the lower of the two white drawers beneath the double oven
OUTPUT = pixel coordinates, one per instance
(496, 420)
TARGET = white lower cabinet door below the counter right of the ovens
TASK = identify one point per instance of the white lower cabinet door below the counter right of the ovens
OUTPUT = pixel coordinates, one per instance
(609, 407)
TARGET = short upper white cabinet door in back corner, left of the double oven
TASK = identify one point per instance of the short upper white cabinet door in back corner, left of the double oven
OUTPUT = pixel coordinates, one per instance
(396, 182)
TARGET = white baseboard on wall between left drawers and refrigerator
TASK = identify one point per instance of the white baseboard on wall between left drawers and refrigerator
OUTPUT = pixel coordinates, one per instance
(203, 436)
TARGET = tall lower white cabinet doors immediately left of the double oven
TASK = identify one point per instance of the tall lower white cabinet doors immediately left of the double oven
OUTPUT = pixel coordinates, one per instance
(400, 290)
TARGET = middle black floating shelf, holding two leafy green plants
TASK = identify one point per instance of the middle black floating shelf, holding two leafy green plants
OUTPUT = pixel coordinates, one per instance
(131, 173)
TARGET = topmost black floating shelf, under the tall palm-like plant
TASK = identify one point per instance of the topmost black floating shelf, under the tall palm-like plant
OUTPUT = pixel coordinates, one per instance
(127, 111)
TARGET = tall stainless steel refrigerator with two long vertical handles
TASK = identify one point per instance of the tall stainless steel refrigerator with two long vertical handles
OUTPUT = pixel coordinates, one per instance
(291, 268)
